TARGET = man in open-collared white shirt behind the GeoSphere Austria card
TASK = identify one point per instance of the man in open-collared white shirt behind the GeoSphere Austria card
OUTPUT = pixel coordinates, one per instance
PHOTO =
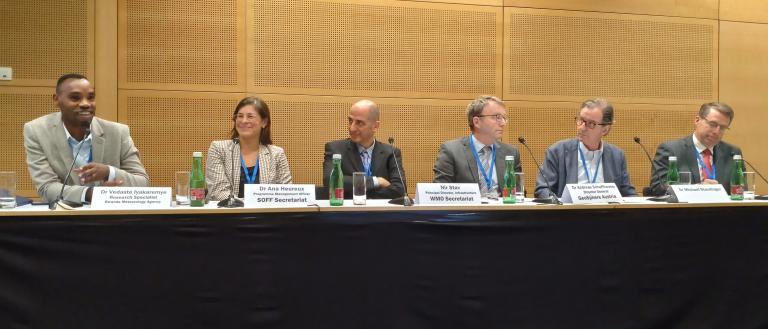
(586, 158)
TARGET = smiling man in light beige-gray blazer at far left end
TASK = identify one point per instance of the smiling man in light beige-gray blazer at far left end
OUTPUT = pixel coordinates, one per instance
(105, 157)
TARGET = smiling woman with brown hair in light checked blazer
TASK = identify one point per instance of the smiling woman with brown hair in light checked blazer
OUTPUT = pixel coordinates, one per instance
(248, 156)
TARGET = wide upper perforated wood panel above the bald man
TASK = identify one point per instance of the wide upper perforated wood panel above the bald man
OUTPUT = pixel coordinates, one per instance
(374, 48)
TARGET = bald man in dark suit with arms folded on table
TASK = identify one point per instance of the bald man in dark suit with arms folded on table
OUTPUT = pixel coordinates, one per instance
(361, 152)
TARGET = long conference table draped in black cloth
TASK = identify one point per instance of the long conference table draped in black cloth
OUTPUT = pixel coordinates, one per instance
(637, 264)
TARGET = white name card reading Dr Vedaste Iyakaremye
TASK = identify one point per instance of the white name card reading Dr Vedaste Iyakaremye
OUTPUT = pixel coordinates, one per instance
(108, 198)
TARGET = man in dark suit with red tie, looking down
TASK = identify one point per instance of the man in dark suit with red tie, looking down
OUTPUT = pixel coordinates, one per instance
(703, 153)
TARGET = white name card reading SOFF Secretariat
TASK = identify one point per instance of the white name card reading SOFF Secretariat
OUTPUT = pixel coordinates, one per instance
(278, 195)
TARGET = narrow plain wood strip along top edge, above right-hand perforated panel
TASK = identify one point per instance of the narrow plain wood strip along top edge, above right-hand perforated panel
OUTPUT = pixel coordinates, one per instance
(679, 8)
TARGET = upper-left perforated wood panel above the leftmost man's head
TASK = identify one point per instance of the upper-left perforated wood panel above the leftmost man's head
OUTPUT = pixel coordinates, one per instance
(41, 40)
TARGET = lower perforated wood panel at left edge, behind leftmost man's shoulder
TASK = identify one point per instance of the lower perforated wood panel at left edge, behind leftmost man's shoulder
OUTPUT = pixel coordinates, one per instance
(20, 105)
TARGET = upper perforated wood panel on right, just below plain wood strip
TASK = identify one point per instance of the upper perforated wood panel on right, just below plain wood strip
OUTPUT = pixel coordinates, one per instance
(568, 56)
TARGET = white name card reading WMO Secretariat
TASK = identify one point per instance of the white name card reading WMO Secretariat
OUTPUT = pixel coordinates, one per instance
(447, 193)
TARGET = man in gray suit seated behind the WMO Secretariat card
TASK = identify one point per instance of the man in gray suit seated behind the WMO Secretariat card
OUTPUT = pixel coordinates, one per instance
(463, 160)
